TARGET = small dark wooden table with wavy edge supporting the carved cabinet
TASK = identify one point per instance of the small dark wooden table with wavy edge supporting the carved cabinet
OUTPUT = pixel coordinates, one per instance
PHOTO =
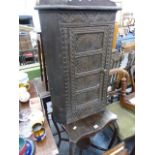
(79, 132)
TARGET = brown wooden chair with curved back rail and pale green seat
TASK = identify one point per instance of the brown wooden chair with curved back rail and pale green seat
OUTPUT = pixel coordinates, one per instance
(123, 109)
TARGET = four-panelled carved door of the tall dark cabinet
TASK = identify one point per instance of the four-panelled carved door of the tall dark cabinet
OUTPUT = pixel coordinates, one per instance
(87, 54)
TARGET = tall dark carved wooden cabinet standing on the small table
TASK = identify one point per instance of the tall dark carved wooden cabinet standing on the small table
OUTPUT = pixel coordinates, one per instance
(77, 40)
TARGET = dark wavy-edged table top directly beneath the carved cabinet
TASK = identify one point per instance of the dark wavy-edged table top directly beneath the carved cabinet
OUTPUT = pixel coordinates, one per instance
(89, 125)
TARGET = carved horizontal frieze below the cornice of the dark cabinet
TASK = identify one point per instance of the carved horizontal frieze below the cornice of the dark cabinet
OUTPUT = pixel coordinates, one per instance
(85, 18)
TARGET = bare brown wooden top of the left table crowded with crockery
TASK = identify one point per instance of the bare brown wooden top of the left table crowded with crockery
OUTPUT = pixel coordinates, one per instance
(47, 146)
